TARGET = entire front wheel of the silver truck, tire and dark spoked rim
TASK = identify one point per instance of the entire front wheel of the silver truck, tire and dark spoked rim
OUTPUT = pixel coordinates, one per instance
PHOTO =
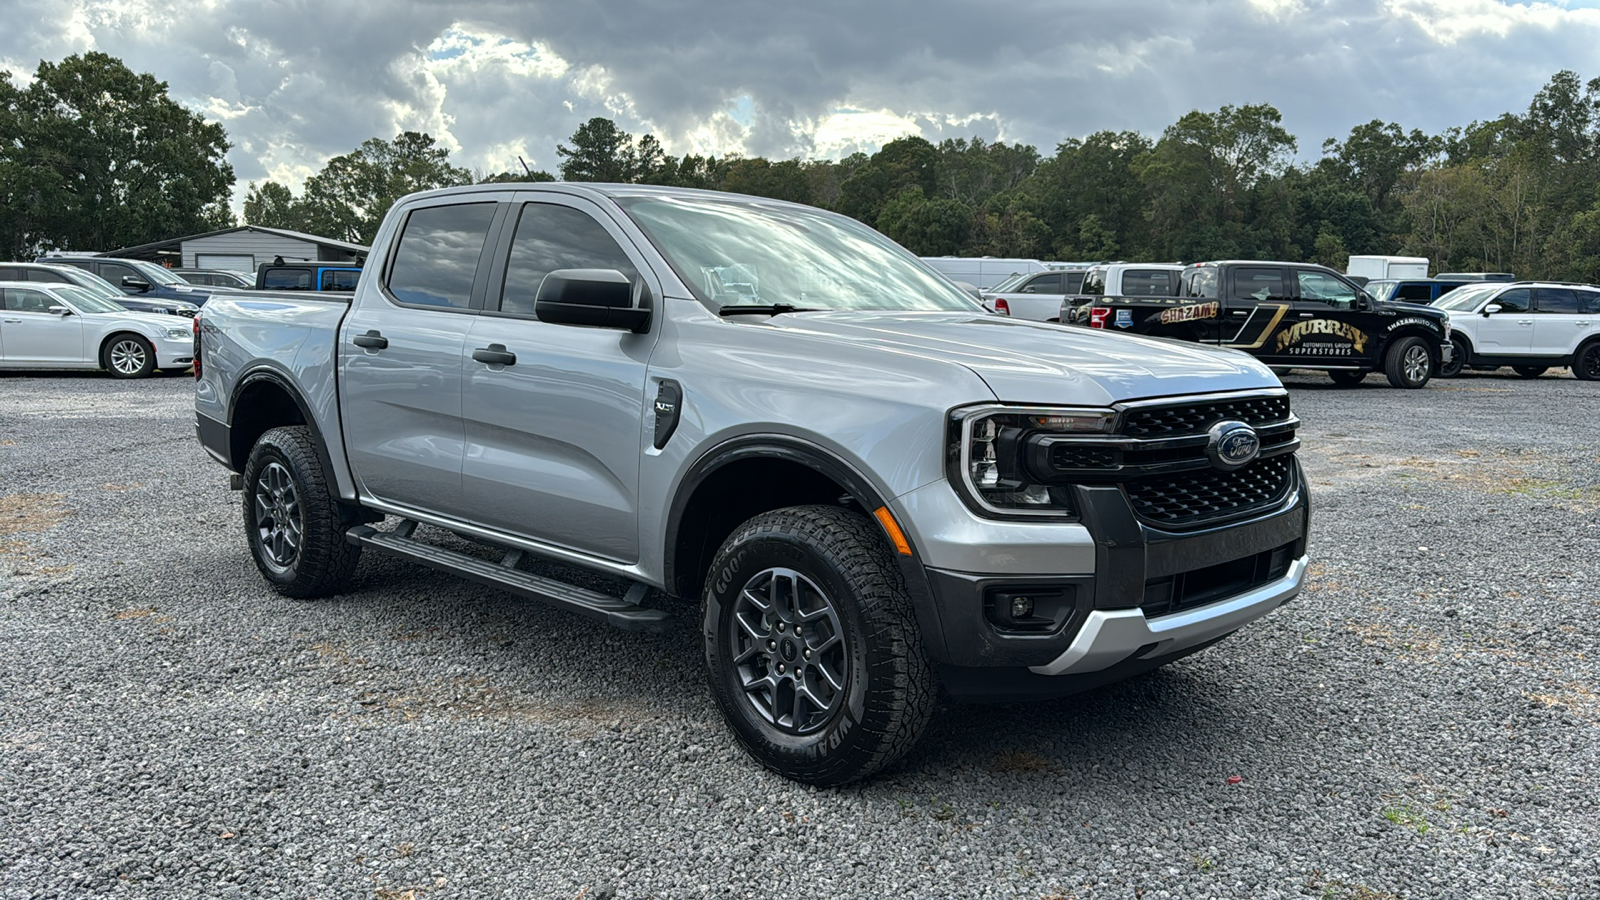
(812, 646)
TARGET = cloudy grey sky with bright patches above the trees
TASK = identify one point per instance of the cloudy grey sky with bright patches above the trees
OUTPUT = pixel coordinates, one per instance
(297, 82)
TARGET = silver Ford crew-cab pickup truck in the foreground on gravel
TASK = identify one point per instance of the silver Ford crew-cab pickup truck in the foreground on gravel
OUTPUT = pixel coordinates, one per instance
(855, 478)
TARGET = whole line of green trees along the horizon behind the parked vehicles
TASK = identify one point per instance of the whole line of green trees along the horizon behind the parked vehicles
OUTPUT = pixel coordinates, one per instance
(95, 156)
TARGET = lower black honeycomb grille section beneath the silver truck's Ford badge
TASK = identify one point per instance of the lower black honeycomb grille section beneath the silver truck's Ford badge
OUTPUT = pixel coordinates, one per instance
(1204, 496)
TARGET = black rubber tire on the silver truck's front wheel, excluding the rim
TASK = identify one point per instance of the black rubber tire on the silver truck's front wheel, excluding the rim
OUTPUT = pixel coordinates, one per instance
(889, 688)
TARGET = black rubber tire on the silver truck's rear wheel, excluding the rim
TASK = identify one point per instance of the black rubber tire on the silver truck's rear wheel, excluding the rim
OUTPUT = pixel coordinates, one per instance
(324, 561)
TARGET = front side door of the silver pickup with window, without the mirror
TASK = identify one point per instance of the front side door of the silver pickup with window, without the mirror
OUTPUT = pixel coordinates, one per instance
(554, 438)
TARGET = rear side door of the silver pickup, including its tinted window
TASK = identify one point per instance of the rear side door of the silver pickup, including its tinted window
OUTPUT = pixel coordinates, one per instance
(401, 358)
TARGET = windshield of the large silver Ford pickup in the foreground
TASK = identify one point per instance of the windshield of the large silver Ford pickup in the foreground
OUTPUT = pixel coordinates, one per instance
(750, 254)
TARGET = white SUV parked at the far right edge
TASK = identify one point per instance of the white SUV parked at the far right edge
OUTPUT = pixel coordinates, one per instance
(1527, 326)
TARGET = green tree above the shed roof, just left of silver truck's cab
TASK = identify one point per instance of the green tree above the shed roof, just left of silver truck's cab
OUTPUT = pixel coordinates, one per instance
(351, 195)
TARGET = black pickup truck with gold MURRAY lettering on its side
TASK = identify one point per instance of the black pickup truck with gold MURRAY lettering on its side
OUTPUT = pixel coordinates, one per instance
(1290, 316)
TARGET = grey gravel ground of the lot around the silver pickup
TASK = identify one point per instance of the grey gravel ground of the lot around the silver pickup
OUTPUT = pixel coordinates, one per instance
(1422, 723)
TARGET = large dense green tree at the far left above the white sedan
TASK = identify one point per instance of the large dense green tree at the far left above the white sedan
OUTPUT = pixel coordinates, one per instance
(95, 156)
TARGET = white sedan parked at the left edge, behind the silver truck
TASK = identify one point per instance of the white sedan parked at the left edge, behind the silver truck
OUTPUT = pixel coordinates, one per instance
(50, 326)
